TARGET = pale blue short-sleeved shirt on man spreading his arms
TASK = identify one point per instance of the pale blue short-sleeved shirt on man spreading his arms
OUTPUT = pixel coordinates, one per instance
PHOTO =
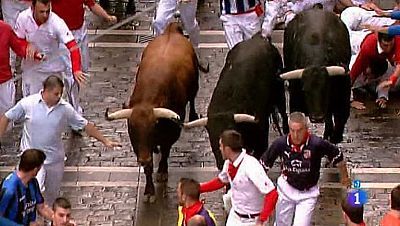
(43, 125)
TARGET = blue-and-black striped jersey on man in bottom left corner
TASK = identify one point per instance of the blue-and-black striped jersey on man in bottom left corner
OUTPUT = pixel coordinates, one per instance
(18, 202)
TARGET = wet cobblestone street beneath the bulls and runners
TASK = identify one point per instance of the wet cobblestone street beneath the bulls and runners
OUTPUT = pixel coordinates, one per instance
(106, 186)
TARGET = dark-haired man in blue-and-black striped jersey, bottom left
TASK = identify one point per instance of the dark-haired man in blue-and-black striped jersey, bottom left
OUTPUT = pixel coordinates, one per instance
(21, 196)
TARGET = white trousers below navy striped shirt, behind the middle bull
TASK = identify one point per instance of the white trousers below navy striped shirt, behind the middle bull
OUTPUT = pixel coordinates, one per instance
(240, 27)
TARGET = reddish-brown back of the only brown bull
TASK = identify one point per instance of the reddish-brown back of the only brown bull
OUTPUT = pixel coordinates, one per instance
(168, 71)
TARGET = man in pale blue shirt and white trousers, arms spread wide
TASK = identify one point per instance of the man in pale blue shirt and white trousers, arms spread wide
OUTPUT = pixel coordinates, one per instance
(45, 116)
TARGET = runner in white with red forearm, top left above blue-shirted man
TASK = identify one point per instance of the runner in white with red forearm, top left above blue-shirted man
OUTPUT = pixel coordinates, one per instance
(45, 30)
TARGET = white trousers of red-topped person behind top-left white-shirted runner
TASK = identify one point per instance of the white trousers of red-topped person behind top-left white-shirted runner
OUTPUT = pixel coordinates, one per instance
(81, 38)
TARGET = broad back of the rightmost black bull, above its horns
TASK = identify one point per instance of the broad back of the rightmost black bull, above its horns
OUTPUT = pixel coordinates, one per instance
(316, 38)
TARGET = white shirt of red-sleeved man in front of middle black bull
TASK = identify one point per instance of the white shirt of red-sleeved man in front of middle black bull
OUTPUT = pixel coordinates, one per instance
(249, 186)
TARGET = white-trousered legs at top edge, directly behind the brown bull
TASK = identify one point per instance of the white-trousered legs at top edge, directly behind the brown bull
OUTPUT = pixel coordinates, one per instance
(165, 13)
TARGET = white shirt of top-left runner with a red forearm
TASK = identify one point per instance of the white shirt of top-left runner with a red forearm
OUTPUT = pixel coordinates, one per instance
(46, 38)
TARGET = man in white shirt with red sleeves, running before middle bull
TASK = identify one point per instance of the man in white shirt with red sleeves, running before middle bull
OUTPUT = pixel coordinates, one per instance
(253, 194)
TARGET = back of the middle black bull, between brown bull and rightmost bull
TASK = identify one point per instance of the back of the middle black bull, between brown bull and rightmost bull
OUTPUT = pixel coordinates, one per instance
(247, 78)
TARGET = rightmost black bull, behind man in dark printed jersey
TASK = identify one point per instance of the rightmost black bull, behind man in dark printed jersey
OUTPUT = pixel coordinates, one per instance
(318, 42)
